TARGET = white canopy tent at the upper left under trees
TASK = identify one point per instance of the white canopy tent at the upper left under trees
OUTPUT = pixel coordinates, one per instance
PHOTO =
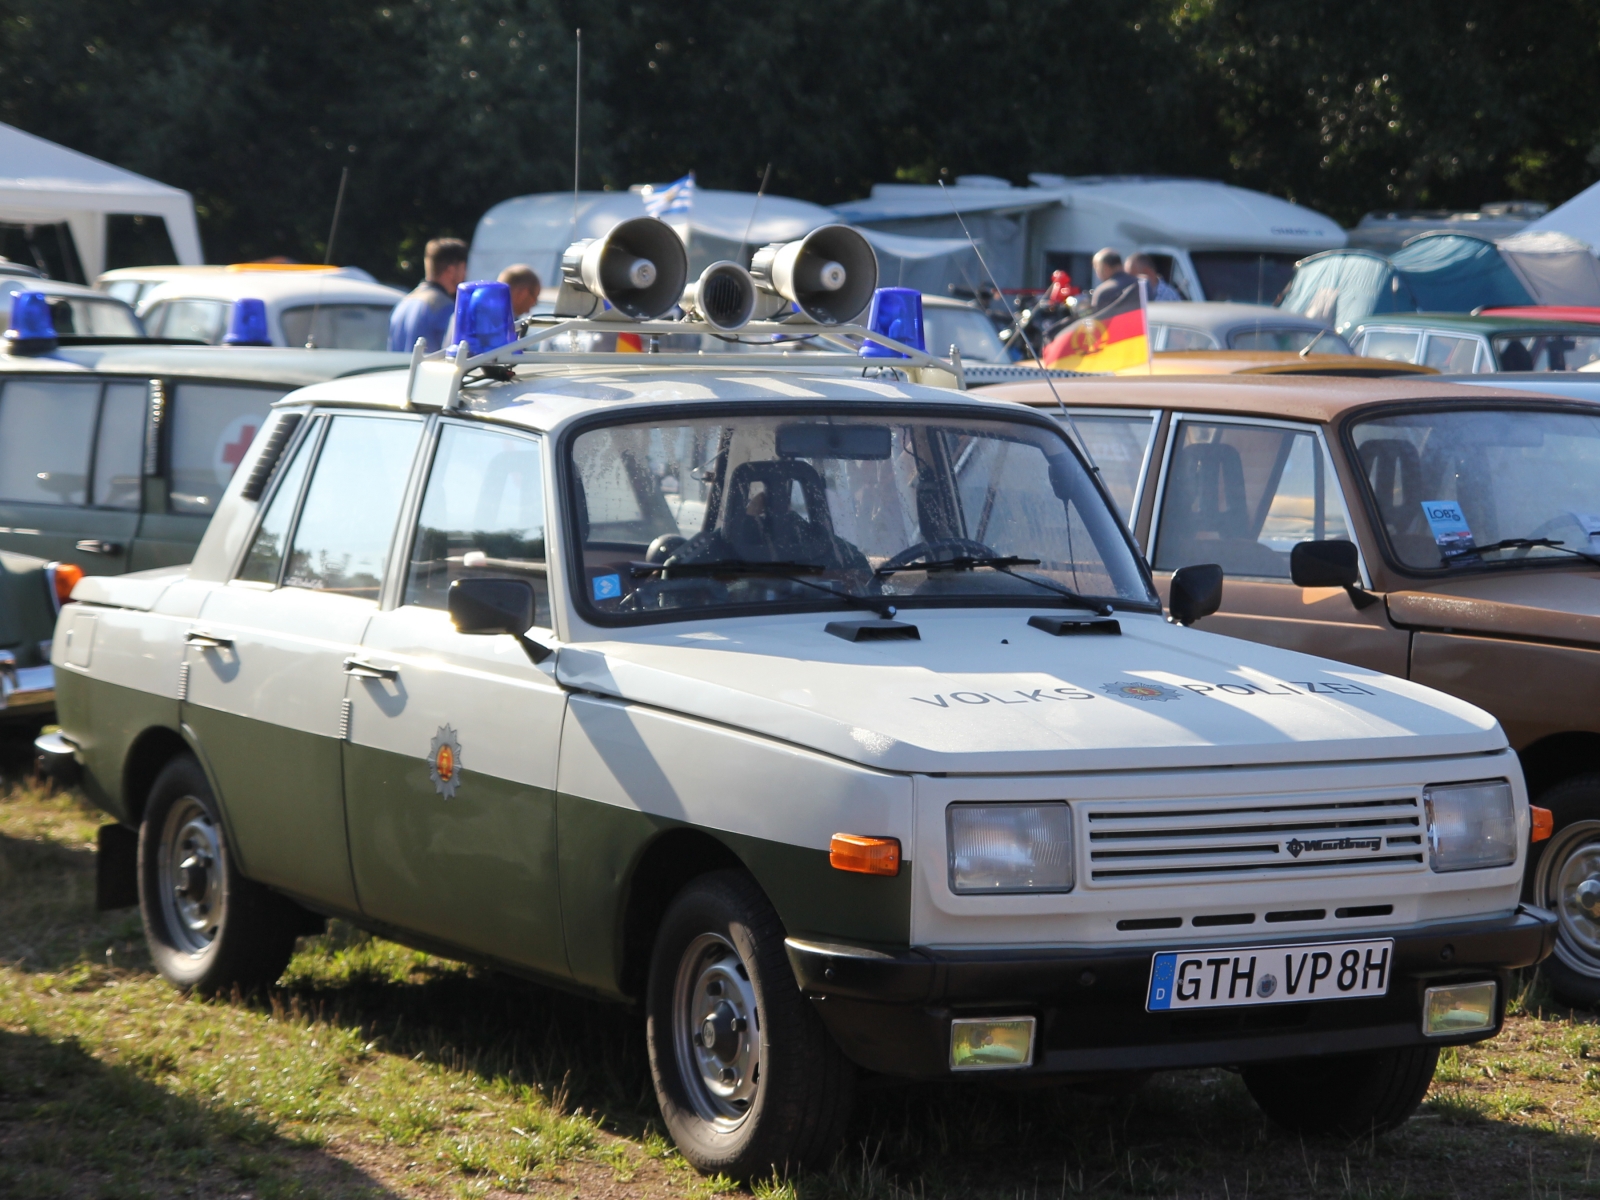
(42, 183)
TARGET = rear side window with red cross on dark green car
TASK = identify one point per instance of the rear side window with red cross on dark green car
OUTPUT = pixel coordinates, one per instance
(212, 428)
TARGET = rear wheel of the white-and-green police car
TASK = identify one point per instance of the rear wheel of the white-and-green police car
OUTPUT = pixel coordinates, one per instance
(210, 929)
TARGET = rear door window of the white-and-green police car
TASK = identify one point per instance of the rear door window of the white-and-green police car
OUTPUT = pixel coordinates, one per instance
(348, 522)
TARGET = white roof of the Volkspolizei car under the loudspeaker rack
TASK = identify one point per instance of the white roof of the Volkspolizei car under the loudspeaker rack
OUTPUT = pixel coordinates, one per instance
(543, 398)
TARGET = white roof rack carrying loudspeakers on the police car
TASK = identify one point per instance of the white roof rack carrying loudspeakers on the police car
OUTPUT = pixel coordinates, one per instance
(436, 380)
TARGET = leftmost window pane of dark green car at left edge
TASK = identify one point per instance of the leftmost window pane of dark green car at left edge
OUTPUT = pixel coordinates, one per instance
(46, 433)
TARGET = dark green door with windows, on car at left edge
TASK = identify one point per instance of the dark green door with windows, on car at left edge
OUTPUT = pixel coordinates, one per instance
(71, 454)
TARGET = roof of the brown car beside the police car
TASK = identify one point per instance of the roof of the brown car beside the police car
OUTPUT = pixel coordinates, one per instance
(1319, 399)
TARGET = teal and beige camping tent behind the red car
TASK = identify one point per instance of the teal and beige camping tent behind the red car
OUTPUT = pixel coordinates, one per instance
(1446, 273)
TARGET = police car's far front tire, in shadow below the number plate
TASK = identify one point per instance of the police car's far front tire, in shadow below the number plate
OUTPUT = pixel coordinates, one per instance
(1345, 1095)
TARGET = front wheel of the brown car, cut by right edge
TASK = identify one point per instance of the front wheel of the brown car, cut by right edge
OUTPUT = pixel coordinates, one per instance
(1566, 879)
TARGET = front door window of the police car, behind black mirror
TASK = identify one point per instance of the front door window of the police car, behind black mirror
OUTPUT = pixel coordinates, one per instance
(482, 518)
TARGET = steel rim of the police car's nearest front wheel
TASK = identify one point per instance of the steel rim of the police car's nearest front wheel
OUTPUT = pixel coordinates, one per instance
(716, 1031)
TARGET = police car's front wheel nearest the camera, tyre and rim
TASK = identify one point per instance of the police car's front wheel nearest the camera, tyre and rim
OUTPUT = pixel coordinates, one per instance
(756, 1100)
